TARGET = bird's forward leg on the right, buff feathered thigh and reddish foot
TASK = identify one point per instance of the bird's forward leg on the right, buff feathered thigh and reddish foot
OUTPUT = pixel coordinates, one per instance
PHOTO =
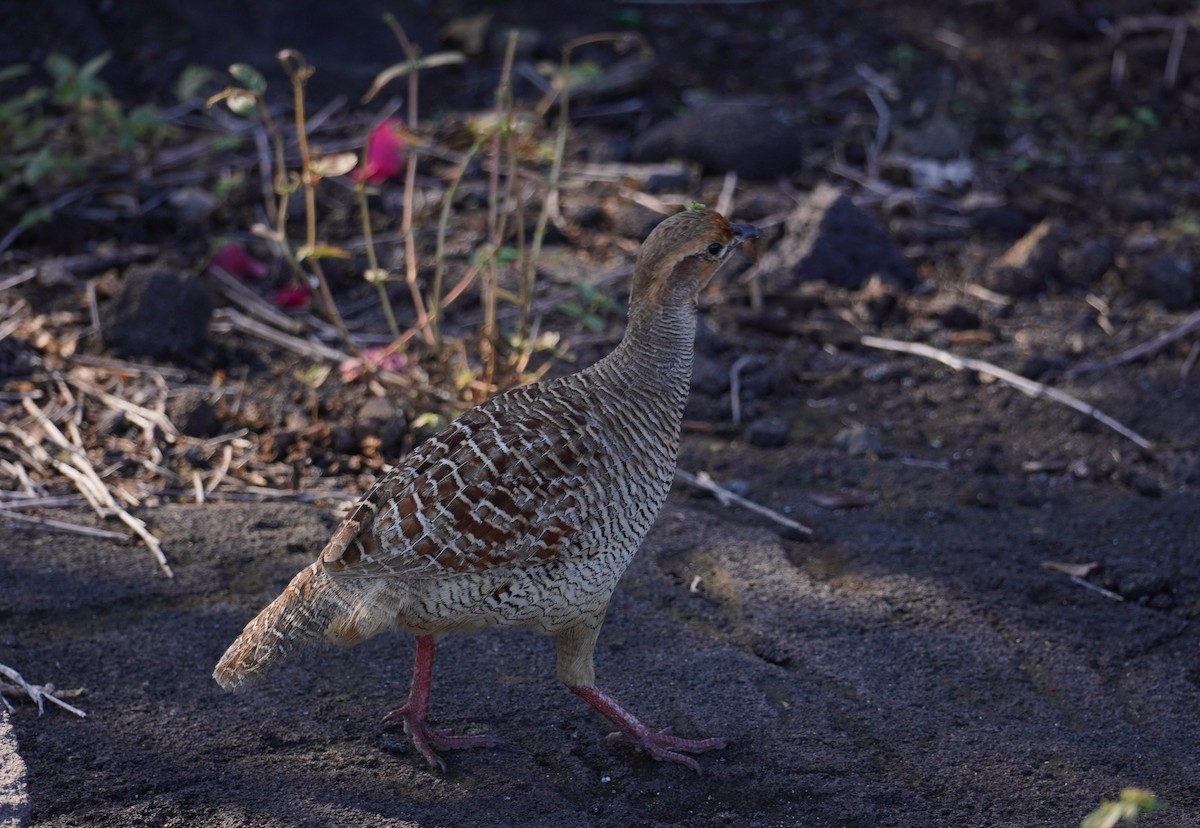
(577, 671)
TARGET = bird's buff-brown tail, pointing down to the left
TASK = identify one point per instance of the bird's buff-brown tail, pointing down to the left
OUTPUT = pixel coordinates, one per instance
(309, 609)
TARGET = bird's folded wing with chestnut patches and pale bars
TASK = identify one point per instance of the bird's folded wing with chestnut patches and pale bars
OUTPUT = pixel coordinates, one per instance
(505, 485)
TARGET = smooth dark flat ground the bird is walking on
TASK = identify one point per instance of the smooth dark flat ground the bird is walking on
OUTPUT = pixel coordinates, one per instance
(914, 665)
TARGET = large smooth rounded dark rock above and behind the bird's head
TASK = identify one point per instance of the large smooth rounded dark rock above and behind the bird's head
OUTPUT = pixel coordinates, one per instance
(752, 139)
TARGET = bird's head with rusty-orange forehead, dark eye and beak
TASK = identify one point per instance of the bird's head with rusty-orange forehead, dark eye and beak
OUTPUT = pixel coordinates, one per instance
(681, 256)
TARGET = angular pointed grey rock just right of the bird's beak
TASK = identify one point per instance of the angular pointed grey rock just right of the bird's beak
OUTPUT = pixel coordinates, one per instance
(829, 238)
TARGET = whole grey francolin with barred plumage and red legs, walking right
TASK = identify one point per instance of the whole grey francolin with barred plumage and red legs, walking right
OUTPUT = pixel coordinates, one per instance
(524, 513)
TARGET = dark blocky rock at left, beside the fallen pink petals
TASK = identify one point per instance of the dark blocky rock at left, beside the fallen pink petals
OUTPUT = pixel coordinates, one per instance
(158, 314)
